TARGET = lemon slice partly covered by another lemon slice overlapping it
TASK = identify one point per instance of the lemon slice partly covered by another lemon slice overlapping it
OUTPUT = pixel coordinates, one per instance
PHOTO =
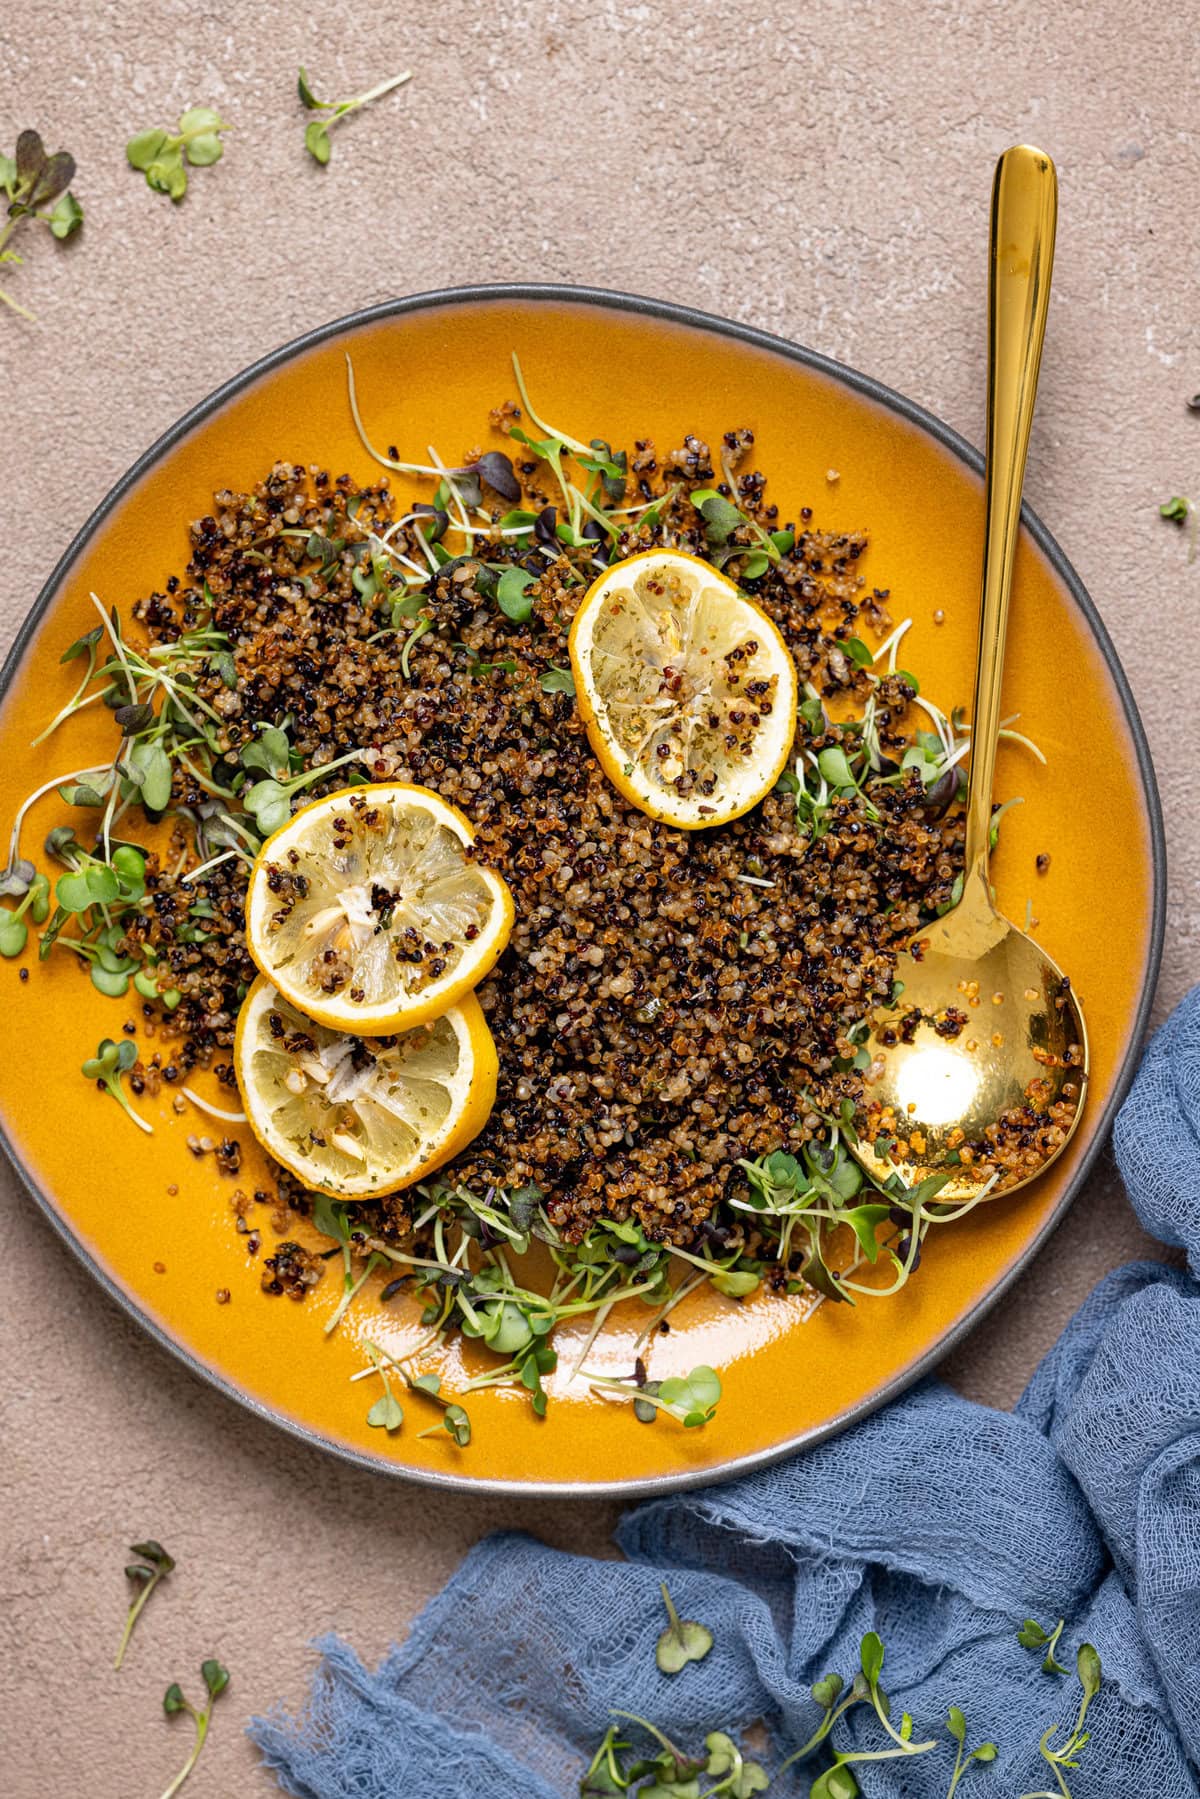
(359, 1116)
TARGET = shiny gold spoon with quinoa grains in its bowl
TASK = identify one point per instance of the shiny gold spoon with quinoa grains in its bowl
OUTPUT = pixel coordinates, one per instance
(987, 1028)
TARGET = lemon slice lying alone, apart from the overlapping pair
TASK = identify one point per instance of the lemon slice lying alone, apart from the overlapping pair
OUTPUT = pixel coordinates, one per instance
(688, 692)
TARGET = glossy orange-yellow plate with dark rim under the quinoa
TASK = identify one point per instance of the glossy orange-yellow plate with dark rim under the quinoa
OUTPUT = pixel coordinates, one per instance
(156, 1224)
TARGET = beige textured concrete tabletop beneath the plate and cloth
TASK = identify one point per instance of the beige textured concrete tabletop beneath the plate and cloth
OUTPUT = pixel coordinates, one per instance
(816, 170)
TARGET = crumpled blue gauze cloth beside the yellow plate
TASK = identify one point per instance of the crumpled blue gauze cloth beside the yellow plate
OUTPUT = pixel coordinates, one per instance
(938, 1523)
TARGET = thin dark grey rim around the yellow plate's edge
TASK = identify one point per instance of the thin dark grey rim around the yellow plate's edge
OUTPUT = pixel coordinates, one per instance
(915, 415)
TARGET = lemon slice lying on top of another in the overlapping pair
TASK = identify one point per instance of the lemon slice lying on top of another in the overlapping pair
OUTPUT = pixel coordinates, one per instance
(368, 911)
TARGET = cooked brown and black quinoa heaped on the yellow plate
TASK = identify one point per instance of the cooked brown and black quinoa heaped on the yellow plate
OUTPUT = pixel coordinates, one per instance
(670, 1001)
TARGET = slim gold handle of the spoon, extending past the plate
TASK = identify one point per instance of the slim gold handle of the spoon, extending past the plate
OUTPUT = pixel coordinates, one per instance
(1025, 211)
